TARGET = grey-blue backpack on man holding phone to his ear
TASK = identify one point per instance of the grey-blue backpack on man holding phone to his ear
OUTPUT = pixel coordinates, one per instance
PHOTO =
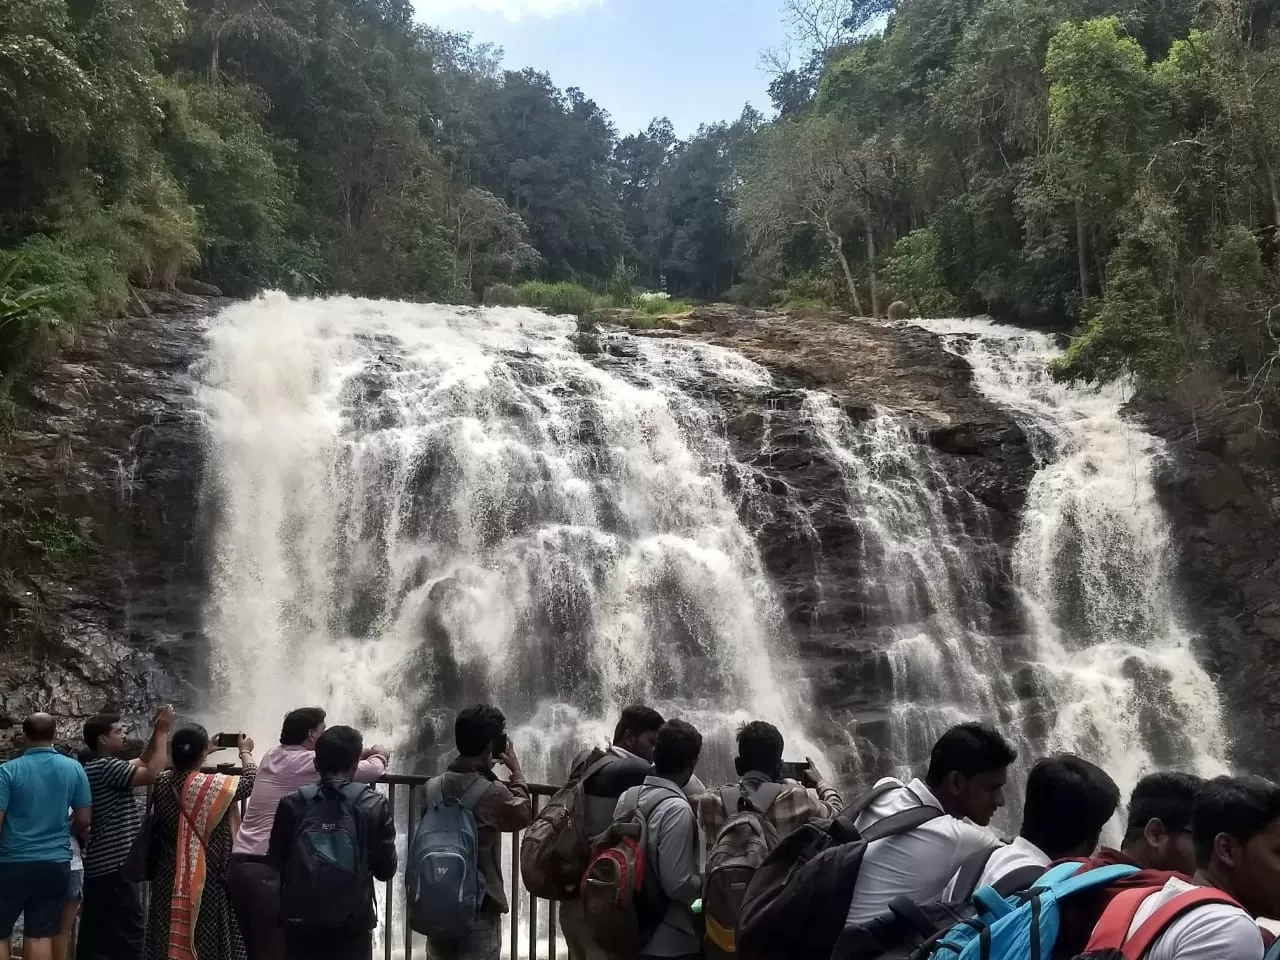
(444, 880)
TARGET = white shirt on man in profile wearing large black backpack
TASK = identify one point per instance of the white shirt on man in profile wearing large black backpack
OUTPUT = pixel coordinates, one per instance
(918, 865)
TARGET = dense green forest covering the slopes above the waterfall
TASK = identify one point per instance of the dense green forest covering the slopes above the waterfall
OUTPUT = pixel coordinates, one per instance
(1108, 164)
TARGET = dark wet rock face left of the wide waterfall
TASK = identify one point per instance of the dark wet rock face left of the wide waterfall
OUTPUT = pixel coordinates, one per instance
(102, 570)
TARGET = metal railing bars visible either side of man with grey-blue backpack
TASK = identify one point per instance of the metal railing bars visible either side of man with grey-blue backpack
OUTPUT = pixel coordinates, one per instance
(524, 906)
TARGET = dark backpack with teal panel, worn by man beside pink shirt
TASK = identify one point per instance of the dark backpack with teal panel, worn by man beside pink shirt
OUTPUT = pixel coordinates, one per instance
(327, 883)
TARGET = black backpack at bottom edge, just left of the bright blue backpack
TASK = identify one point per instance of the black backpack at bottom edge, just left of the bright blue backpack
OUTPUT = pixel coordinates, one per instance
(908, 931)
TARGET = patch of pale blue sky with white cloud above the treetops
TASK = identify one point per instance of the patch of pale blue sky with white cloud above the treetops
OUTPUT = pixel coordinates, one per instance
(693, 61)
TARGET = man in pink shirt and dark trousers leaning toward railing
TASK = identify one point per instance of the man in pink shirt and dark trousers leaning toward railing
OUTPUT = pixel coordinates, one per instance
(253, 883)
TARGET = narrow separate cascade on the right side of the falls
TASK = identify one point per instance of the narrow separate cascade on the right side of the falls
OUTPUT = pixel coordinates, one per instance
(1110, 669)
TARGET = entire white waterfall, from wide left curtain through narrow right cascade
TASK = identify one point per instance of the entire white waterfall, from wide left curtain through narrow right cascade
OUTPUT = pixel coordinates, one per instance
(415, 508)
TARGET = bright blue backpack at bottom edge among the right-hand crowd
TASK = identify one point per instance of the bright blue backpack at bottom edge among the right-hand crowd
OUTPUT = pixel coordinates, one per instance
(1022, 927)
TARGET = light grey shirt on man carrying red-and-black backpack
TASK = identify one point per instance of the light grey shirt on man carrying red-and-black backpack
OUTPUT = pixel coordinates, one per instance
(673, 856)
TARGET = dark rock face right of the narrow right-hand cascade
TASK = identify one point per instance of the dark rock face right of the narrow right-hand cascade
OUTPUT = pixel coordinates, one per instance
(1222, 488)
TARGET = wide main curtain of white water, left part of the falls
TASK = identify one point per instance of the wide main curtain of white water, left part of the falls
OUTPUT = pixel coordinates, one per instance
(419, 508)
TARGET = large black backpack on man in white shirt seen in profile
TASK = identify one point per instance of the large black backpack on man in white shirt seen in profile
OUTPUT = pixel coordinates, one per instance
(799, 898)
